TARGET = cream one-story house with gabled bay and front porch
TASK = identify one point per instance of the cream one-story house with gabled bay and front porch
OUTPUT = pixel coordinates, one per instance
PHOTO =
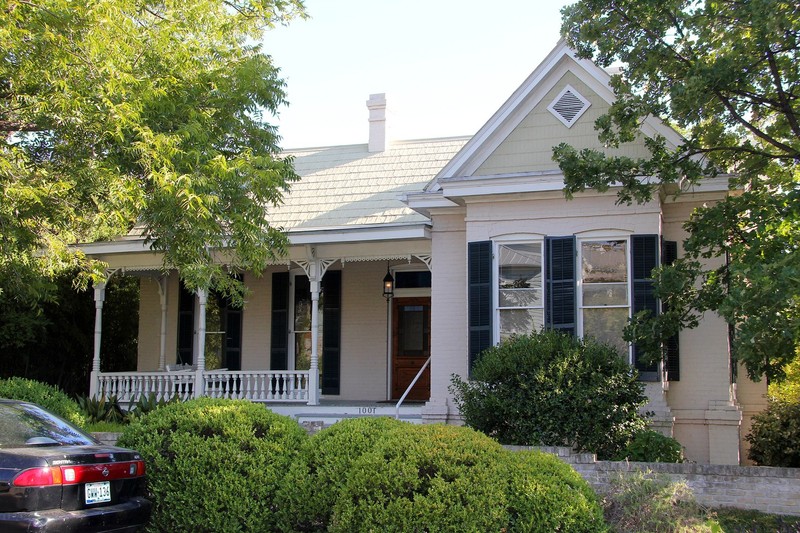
(409, 258)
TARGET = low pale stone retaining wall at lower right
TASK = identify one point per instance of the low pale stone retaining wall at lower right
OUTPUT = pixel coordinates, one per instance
(760, 488)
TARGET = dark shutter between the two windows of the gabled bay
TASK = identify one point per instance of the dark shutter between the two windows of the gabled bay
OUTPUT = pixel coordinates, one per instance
(560, 284)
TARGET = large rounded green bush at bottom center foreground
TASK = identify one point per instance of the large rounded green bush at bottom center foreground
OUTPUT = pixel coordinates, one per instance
(378, 474)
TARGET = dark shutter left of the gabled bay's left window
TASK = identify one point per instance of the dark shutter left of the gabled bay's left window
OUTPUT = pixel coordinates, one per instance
(479, 281)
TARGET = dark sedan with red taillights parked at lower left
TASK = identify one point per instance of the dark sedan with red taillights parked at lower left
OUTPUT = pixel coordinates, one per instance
(53, 477)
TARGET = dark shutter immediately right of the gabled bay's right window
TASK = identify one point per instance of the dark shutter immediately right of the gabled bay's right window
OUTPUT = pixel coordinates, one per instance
(644, 258)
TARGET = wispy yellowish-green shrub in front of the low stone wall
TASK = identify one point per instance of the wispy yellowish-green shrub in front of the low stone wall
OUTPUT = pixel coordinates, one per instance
(640, 501)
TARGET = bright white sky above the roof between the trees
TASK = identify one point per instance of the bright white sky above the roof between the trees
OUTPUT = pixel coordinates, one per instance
(445, 65)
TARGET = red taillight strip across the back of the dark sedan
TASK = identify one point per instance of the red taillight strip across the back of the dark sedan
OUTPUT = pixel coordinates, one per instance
(70, 475)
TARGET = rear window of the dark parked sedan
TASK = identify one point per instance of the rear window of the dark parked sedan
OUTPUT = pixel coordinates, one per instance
(23, 425)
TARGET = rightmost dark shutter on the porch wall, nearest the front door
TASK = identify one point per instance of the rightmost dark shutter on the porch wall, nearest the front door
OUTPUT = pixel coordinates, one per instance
(331, 331)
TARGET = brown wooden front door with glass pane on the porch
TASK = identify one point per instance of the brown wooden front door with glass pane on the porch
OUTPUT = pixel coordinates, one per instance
(411, 346)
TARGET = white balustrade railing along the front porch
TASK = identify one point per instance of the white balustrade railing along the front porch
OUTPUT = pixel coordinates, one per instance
(255, 385)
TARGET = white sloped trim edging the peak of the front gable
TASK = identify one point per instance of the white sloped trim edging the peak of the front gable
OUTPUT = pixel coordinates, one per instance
(525, 99)
